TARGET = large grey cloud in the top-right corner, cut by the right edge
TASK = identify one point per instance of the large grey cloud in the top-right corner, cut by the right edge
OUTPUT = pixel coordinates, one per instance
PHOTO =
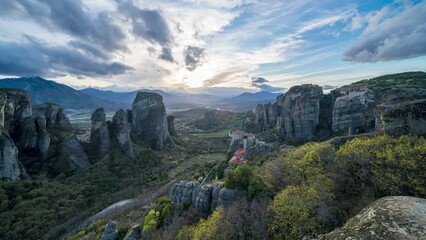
(399, 37)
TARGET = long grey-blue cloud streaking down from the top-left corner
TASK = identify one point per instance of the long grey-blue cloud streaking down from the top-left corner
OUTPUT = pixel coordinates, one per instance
(71, 17)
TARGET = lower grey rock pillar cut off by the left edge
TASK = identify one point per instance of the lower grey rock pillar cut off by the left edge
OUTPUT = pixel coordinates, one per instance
(9, 167)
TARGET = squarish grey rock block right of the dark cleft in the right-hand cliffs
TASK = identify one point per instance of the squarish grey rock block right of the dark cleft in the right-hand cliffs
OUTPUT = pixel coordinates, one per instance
(355, 112)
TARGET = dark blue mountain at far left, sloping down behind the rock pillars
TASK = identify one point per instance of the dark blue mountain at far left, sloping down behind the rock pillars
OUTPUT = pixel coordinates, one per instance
(45, 91)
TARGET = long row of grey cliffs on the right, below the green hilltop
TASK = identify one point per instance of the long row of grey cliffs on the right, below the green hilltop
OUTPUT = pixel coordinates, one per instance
(304, 112)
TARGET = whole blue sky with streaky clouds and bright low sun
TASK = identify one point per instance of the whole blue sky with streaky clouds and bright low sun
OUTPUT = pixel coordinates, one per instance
(210, 46)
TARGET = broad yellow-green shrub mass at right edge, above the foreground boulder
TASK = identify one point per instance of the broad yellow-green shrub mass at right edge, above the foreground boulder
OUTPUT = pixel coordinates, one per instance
(384, 165)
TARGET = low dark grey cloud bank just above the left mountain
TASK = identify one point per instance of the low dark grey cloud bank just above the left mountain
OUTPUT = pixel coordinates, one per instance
(33, 57)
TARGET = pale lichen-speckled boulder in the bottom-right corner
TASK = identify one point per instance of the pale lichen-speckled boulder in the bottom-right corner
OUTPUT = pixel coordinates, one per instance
(391, 218)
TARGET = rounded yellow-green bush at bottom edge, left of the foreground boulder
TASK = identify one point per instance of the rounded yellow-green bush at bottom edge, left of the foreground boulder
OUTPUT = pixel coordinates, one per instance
(293, 213)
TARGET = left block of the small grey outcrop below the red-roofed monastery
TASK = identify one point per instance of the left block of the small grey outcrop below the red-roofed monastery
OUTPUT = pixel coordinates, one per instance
(185, 192)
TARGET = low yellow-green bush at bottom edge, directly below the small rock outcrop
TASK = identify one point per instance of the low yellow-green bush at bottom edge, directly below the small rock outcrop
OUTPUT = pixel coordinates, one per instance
(211, 229)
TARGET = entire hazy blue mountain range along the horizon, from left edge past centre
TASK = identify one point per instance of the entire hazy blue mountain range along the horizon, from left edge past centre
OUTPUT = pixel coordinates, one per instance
(45, 91)
